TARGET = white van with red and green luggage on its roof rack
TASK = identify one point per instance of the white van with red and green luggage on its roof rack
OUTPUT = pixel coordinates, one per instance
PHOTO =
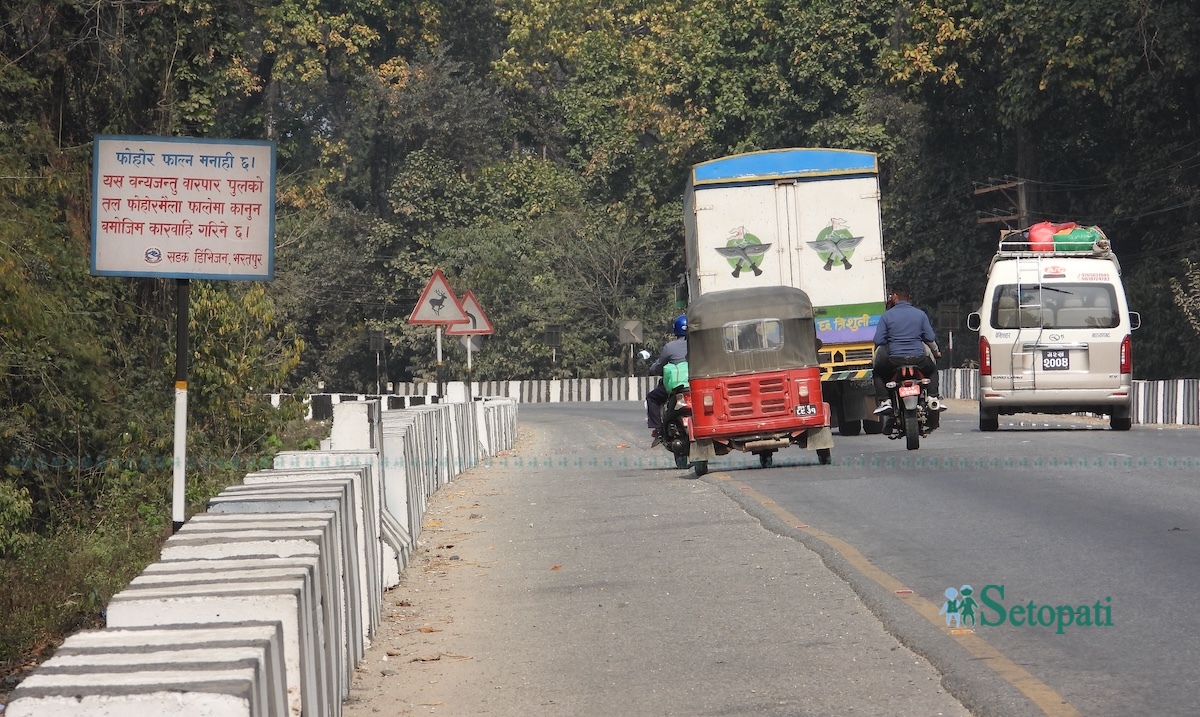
(1055, 333)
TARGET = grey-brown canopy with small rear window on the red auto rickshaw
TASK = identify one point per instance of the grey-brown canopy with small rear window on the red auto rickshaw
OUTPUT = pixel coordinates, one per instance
(755, 330)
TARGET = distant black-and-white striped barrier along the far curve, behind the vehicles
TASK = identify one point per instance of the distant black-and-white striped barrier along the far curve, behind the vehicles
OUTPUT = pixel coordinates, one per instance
(1174, 402)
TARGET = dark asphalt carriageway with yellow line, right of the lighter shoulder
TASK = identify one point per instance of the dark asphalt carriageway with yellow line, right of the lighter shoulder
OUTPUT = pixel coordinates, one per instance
(1084, 523)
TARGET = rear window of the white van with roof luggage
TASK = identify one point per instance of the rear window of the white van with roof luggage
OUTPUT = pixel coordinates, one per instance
(1054, 306)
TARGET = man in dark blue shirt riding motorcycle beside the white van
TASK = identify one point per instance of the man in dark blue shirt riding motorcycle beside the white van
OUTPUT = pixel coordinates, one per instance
(901, 340)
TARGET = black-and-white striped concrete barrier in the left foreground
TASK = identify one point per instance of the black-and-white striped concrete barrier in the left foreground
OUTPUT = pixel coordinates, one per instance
(265, 605)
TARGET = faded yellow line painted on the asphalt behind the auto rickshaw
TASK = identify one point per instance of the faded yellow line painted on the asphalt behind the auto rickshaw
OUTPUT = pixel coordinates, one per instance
(1040, 694)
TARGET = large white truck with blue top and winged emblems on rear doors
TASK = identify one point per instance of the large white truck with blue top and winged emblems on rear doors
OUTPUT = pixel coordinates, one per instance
(807, 219)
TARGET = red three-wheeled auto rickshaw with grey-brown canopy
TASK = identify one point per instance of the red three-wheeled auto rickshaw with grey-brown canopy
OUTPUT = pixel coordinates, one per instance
(754, 378)
